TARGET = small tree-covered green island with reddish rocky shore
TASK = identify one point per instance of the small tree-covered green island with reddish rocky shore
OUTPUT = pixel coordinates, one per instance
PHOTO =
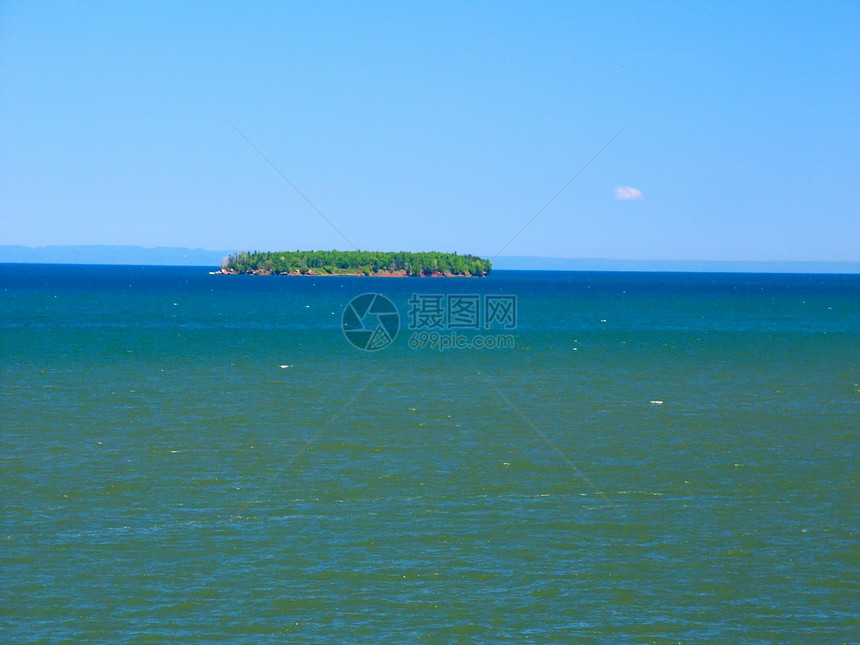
(358, 263)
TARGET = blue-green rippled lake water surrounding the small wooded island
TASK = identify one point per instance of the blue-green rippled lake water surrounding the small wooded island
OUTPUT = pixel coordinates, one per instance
(164, 478)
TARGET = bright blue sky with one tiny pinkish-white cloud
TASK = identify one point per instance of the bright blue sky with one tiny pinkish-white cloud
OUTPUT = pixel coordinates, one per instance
(435, 126)
